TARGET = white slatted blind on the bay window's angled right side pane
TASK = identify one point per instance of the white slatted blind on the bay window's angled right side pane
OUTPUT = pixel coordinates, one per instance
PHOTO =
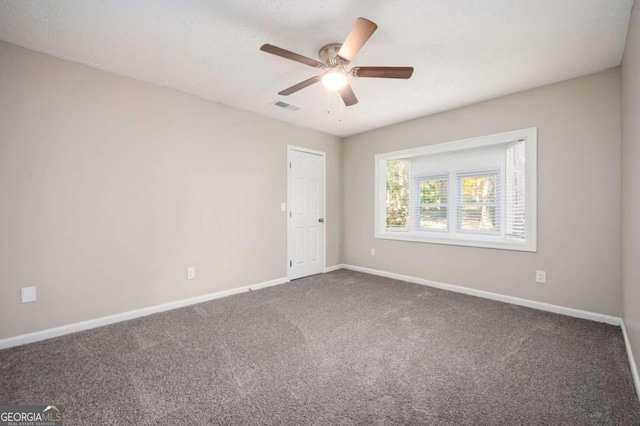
(515, 191)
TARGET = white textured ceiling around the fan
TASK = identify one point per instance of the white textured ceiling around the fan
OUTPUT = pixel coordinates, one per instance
(463, 51)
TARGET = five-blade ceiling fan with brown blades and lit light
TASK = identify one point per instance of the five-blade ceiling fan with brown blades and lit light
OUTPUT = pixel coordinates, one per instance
(334, 59)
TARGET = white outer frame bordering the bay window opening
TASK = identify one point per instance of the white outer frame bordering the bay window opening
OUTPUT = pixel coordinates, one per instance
(530, 243)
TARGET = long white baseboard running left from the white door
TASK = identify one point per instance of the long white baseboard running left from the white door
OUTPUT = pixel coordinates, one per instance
(111, 319)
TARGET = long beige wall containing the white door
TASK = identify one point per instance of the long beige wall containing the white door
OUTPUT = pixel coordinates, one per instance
(110, 188)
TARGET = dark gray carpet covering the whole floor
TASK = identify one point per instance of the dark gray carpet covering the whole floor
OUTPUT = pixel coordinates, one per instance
(342, 348)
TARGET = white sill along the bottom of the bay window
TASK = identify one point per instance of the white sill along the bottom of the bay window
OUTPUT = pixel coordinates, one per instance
(487, 242)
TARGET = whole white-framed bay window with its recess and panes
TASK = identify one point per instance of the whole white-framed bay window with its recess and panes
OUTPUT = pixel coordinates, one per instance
(477, 192)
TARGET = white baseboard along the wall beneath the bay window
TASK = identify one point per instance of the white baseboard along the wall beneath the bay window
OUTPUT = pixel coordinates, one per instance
(493, 296)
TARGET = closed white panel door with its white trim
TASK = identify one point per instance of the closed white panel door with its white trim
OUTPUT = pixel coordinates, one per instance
(306, 213)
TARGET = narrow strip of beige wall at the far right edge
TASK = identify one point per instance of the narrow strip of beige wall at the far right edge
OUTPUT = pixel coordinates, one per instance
(631, 184)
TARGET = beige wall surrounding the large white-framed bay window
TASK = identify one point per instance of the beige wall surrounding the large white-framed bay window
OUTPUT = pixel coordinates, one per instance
(579, 245)
